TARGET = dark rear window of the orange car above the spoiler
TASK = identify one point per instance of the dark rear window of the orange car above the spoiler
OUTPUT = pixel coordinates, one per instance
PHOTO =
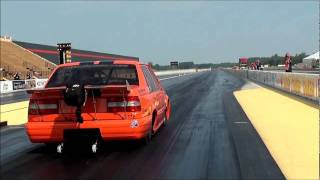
(113, 74)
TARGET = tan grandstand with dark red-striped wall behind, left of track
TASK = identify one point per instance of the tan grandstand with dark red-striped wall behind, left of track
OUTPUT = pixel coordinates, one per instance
(39, 60)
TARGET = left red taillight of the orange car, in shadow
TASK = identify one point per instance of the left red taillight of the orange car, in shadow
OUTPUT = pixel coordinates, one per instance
(38, 107)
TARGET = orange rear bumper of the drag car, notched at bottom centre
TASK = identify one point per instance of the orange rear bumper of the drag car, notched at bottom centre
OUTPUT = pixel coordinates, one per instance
(46, 132)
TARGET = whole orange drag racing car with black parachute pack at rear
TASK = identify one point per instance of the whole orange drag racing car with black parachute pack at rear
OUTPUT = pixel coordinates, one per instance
(110, 100)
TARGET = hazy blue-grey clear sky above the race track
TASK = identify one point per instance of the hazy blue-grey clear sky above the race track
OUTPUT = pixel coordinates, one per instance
(164, 31)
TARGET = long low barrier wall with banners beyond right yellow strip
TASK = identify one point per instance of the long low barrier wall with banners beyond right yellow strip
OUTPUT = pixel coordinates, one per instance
(301, 84)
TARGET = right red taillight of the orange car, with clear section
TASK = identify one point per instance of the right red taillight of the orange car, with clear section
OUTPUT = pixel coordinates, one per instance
(124, 104)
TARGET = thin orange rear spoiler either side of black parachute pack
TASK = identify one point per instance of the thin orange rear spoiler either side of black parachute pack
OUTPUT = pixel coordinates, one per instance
(124, 88)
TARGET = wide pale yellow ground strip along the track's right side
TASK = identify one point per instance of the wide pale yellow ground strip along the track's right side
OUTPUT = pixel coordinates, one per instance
(288, 127)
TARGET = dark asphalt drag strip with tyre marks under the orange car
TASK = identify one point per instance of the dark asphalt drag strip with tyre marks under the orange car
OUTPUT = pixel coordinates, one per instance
(200, 141)
